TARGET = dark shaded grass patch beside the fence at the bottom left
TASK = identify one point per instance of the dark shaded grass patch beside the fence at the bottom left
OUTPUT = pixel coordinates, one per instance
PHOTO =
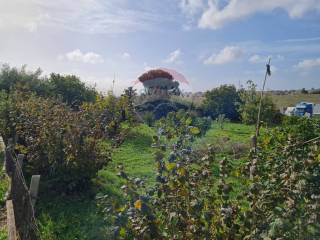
(67, 218)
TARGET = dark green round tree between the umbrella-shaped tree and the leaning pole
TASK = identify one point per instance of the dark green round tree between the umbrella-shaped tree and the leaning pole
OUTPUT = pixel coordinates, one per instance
(222, 100)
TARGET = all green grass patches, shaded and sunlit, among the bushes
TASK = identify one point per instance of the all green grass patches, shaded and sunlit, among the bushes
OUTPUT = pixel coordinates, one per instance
(78, 217)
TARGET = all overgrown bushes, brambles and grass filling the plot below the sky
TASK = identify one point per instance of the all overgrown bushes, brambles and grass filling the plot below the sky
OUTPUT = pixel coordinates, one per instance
(182, 177)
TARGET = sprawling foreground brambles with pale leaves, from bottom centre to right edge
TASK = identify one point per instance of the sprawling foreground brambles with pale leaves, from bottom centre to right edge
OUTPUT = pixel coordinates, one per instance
(280, 200)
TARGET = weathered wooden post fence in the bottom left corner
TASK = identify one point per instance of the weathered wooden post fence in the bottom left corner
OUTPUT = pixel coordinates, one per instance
(21, 199)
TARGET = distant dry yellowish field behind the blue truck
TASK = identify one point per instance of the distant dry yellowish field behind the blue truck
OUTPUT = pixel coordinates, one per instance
(293, 99)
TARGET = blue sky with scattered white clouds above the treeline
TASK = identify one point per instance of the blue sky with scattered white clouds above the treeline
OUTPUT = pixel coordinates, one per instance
(211, 42)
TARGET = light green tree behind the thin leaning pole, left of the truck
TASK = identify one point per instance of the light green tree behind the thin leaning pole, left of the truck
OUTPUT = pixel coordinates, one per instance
(249, 104)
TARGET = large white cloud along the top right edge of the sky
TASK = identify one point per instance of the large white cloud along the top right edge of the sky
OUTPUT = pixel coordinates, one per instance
(215, 17)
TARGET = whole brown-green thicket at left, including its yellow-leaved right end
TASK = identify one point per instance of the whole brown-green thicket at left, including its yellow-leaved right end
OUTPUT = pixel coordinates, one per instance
(66, 146)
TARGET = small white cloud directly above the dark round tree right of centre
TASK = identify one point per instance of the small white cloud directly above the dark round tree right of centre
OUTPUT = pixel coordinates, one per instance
(226, 55)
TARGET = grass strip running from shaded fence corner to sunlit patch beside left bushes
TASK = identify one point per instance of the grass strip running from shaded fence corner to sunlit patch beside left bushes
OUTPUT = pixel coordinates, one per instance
(78, 217)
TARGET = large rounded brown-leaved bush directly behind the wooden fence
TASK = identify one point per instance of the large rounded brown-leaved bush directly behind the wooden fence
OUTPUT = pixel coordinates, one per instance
(62, 145)
